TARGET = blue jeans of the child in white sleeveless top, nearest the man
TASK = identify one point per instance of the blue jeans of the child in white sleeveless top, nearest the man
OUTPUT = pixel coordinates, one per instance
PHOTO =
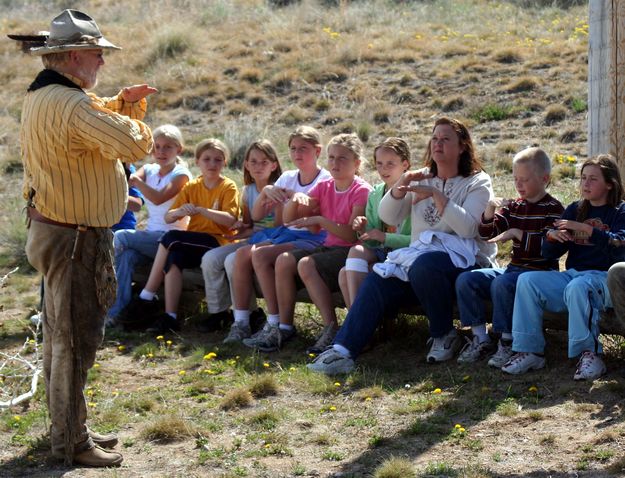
(132, 248)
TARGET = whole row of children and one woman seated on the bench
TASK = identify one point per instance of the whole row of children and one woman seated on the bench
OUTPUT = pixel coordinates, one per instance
(424, 237)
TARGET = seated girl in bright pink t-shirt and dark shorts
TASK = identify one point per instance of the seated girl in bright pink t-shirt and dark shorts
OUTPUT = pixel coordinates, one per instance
(331, 205)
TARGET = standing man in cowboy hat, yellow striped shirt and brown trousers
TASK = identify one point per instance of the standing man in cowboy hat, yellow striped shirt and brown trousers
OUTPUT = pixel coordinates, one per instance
(74, 182)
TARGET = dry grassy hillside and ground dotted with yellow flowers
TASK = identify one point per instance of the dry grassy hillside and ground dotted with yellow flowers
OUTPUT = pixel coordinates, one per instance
(514, 71)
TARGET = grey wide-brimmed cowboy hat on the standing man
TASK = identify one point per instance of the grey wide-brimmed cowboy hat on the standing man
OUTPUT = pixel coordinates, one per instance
(73, 30)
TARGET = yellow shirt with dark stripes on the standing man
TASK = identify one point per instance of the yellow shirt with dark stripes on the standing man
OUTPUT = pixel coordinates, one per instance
(72, 142)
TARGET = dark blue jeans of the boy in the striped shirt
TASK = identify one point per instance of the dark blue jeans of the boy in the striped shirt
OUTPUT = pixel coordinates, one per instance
(497, 284)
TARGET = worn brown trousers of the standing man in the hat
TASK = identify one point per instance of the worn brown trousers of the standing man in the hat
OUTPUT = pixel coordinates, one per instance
(73, 328)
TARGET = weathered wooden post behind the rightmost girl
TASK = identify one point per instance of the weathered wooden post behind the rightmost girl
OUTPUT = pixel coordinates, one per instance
(606, 79)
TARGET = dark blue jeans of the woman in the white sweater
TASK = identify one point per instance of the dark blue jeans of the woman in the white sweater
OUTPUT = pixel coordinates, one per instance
(432, 276)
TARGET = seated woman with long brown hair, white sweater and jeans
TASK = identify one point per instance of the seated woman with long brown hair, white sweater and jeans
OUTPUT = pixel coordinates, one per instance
(446, 200)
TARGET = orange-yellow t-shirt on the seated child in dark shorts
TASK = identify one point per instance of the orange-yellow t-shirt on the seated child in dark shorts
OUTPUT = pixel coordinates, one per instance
(223, 197)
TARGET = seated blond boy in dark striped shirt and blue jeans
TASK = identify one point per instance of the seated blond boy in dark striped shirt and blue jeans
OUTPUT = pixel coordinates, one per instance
(523, 220)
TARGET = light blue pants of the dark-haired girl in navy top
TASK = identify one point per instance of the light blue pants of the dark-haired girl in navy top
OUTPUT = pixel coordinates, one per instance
(583, 293)
